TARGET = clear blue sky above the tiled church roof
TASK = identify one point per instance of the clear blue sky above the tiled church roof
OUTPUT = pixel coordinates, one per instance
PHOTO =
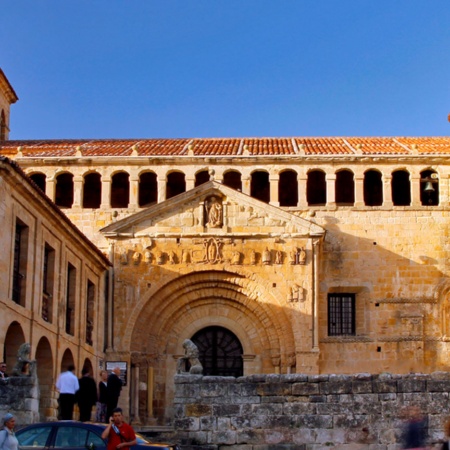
(213, 68)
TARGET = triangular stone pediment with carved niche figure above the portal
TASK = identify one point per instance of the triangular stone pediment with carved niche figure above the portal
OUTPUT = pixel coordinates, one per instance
(212, 209)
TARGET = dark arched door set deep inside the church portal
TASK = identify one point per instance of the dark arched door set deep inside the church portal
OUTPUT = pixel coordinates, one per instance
(220, 352)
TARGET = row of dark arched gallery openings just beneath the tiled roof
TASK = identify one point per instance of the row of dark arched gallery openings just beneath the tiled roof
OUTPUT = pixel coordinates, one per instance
(288, 192)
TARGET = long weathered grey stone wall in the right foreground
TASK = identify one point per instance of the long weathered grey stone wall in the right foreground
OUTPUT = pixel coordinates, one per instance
(274, 412)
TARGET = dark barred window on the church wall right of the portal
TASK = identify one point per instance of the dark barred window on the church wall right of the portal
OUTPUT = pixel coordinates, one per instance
(341, 314)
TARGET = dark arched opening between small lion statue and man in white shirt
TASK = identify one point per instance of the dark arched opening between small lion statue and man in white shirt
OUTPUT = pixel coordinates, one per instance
(44, 364)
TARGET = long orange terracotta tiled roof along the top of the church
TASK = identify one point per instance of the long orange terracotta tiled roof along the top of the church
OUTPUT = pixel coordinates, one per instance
(230, 147)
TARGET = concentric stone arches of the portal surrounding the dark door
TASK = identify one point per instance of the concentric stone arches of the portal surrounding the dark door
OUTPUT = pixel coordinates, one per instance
(249, 309)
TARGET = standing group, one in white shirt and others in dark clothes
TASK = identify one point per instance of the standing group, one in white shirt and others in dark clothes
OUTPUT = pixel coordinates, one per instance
(84, 392)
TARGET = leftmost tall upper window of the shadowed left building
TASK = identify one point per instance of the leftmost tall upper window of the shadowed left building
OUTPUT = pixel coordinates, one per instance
(20, 263)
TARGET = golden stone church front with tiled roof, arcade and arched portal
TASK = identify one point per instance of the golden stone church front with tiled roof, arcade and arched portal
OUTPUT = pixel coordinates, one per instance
(274, 255)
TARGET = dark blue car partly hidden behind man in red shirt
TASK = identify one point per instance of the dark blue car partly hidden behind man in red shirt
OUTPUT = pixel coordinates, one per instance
(72, 435)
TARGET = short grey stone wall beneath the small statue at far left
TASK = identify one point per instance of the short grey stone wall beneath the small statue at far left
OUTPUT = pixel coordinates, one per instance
(20, 396)
